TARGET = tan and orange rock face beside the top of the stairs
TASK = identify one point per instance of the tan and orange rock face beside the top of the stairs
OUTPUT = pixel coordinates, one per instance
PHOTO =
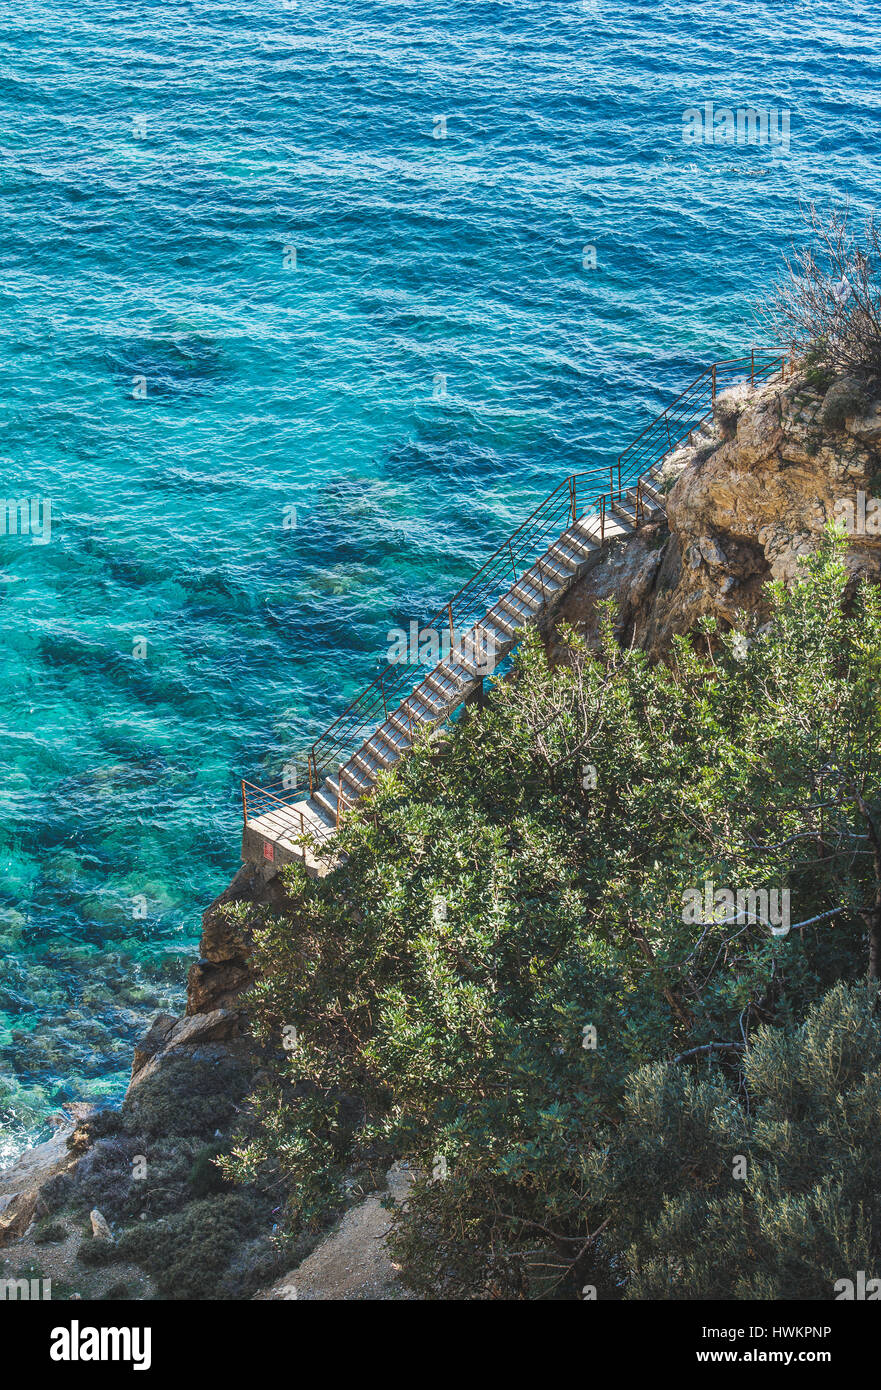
(746, 502)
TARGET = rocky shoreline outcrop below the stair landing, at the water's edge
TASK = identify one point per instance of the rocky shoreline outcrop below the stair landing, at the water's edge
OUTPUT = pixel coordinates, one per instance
(190, 1078)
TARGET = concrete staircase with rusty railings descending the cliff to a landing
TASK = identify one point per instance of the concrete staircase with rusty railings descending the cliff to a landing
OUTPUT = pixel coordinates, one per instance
(384, 721)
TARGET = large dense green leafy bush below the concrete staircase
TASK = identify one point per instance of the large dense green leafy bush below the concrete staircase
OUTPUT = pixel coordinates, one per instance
(481, 986)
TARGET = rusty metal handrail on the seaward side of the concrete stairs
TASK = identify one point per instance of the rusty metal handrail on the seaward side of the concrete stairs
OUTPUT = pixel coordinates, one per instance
(383, 697)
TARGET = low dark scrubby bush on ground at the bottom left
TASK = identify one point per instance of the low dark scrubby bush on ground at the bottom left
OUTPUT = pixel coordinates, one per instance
(176, 1217)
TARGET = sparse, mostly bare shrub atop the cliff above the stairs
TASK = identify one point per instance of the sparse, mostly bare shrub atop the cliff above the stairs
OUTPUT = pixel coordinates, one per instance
(829, 306)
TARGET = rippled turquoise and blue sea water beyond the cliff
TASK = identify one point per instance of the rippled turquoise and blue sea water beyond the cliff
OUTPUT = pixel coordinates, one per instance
(438, 358)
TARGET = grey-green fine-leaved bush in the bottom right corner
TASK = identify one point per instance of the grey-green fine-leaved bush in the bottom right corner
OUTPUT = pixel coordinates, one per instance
(772, 1200)
